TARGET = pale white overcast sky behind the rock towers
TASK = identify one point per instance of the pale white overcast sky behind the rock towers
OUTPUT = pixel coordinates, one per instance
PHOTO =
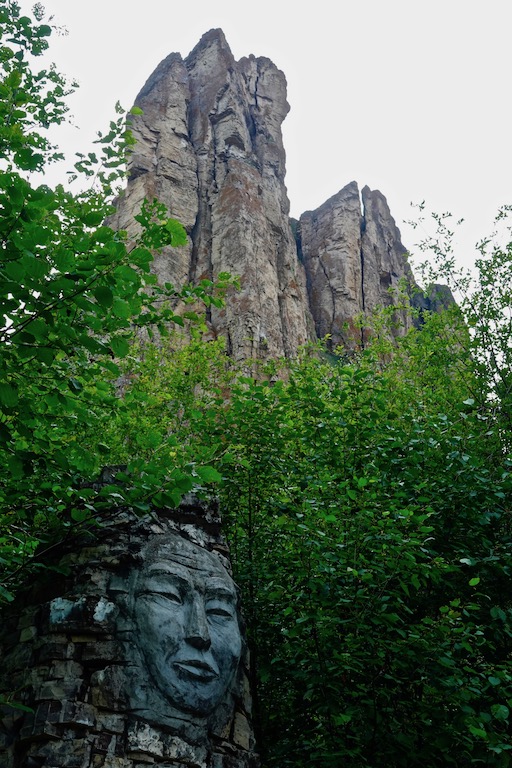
(408, 96)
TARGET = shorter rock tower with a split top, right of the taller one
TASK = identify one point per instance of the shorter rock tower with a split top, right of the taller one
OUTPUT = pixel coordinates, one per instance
(354, 261)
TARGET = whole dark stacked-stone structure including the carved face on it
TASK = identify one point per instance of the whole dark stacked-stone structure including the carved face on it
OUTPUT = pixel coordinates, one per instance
(102, 691)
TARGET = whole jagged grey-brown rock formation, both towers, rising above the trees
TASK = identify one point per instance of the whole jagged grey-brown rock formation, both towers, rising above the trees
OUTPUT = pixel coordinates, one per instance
(209, 146)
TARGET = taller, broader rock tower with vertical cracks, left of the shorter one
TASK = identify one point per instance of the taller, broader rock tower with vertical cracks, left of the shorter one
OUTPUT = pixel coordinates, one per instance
(209, 146)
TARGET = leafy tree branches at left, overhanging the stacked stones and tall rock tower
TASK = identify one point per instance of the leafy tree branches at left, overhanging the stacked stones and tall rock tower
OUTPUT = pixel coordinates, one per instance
(74, 294)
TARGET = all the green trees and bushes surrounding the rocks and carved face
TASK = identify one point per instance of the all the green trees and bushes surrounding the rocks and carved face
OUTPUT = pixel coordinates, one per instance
(366, 498)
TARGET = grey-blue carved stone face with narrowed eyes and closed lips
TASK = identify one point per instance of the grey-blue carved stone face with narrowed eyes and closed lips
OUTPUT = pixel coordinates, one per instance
(187, 622)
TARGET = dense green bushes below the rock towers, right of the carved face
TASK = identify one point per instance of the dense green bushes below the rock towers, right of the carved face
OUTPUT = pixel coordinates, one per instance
(367, 508)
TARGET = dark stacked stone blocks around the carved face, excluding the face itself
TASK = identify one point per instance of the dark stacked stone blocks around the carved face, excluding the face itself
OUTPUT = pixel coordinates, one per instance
(66, 664)
